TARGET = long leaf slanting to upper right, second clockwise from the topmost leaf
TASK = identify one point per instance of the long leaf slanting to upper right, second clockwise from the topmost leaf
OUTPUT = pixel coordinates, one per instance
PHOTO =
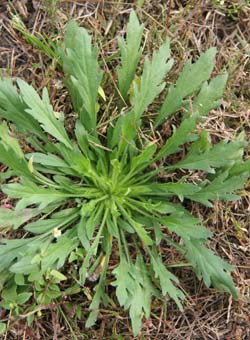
(189, 81)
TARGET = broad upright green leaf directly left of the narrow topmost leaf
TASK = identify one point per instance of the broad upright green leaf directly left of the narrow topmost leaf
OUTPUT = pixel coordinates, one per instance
(80, 63)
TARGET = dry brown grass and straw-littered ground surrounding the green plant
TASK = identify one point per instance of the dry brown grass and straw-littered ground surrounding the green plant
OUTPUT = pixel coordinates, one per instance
(193, 26)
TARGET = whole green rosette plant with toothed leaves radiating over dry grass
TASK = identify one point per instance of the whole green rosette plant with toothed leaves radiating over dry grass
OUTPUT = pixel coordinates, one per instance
(79, 200)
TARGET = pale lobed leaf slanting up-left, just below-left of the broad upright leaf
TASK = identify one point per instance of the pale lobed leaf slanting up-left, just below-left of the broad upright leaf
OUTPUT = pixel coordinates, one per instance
(43, 112)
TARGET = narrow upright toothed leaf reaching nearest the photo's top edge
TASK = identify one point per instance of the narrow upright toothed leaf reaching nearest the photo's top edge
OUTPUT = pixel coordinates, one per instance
(130, 54)
